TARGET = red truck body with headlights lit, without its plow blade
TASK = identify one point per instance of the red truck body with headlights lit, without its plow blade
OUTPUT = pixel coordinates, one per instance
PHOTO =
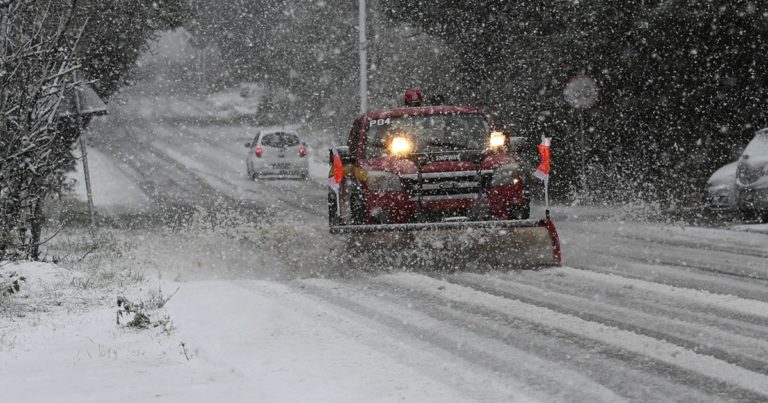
(426, 164)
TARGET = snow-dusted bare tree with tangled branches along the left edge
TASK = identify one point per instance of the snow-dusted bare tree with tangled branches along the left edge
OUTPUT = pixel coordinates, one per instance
(41, 43)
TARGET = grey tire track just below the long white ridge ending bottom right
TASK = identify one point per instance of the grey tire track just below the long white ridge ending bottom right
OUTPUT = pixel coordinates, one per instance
(629, 375)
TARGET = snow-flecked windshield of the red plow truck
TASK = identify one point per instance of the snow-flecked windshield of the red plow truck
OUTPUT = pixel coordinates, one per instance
(431, 134)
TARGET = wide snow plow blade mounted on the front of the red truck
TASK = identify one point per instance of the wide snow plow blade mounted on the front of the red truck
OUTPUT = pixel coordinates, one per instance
(513, 243)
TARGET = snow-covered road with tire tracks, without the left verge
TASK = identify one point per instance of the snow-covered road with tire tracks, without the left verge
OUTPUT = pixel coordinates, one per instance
(641, 311)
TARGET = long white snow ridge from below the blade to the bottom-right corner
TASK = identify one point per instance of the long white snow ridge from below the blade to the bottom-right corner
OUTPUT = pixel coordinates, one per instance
(751, 383)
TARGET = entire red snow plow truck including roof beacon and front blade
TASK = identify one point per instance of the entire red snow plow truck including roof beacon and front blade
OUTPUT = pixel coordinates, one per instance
(436, 172)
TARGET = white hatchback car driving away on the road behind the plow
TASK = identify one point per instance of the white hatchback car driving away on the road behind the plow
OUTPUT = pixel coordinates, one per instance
(277, 153)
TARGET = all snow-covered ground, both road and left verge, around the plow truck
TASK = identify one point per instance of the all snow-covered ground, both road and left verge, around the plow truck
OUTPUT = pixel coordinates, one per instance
(266, 310)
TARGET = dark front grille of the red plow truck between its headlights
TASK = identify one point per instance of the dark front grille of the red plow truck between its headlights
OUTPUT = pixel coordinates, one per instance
(446, 185)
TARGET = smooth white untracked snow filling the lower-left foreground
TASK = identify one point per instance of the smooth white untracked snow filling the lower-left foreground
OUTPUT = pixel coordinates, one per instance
(288, 352)
